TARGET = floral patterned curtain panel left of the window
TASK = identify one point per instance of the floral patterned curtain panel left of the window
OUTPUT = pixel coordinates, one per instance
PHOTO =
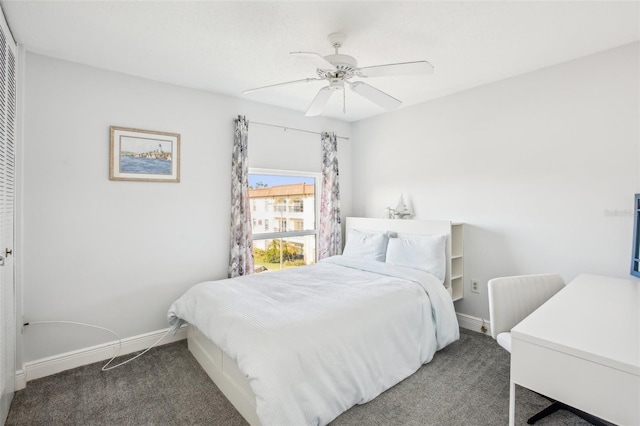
(241, 256)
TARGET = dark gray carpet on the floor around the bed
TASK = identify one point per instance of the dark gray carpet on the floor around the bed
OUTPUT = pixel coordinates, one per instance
(466, 384)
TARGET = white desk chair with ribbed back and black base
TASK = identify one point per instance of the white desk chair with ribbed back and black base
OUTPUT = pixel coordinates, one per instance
(512, 299)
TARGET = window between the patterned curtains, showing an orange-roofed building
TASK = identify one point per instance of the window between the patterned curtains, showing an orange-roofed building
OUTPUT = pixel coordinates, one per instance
(290, 207)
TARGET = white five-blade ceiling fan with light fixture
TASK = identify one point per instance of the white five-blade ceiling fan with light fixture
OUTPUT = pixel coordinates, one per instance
(338, 69)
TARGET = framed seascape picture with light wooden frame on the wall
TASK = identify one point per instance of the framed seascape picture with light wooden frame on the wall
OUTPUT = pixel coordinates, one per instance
(144, 155)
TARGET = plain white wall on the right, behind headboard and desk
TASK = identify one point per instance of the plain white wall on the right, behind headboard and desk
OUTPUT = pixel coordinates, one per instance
(542, 167)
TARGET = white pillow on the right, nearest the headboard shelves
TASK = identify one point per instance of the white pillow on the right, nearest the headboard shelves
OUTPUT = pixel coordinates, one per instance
(424, 252)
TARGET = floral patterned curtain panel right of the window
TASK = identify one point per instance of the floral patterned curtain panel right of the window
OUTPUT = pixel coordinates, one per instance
(330, 242)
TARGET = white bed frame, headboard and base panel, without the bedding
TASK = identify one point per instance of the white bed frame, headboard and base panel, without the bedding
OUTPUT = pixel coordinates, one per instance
(225, 372)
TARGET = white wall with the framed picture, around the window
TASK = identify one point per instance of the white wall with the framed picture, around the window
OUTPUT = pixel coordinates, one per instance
(116, 254)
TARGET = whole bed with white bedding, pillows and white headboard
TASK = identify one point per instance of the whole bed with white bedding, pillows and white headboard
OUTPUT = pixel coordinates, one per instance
(301, 346)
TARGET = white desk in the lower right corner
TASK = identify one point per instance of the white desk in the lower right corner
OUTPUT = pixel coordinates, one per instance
(582, 347)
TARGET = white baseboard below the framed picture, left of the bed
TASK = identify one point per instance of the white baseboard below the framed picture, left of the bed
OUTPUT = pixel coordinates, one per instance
(55, 364)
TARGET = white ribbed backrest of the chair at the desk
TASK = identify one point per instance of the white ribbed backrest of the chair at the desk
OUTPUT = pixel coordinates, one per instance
(512, 299)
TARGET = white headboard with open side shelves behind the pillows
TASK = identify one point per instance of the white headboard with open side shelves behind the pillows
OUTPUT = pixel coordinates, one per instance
(453, 281)
